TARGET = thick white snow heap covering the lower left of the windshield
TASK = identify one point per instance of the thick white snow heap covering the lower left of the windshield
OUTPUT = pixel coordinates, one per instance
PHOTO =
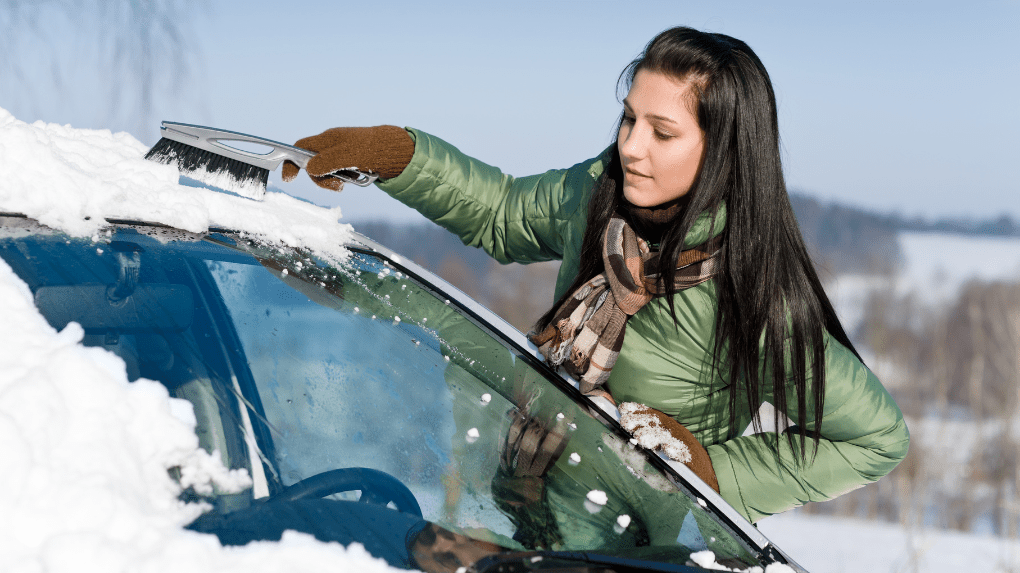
(85, 484)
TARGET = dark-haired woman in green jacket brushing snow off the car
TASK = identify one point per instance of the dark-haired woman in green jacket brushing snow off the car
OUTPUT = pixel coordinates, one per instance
(739, 317)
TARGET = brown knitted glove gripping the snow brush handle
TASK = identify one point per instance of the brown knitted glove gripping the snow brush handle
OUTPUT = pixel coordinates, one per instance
(383, 149)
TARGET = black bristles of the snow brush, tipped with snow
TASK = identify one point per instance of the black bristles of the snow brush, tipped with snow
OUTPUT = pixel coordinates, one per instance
(212, 169)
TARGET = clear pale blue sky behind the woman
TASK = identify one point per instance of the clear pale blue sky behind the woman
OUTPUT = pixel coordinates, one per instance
(906, 107)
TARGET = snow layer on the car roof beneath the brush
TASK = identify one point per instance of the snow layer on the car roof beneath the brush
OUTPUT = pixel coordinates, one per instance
(73, 180)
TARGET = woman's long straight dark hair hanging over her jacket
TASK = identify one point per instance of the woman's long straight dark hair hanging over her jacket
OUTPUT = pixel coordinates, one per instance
(773, 311)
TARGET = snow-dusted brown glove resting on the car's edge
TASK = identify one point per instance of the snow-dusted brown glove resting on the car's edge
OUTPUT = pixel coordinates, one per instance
(656, 431)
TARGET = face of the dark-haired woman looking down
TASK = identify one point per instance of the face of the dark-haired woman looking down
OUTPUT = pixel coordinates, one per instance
(661, 144)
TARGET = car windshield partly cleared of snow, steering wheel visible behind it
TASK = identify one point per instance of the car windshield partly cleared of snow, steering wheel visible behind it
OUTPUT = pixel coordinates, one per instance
(367, 405)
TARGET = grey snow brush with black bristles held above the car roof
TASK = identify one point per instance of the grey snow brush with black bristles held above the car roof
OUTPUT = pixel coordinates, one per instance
(207, 154)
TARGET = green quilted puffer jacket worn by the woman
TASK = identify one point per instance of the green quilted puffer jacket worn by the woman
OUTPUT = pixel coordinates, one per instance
(543, 218)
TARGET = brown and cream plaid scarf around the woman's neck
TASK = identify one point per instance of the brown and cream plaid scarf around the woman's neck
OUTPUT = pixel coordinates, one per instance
(587, 332)
